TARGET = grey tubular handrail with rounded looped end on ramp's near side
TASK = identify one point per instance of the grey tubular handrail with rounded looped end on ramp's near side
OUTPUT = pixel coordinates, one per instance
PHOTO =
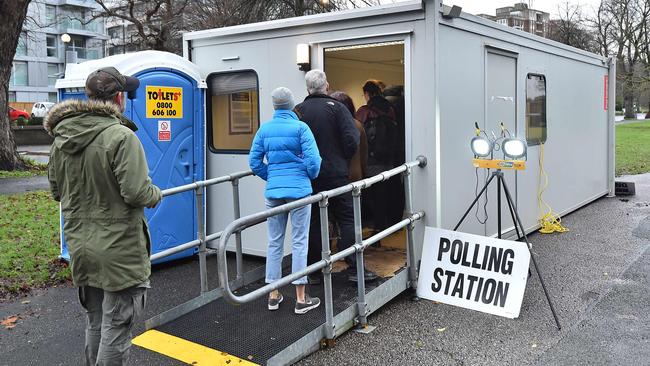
(242, 223)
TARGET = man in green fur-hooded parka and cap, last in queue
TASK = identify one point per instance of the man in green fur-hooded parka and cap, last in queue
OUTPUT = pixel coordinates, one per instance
(98, 172)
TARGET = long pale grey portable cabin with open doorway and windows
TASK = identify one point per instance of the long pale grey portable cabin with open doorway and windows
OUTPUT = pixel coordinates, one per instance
(456, 70)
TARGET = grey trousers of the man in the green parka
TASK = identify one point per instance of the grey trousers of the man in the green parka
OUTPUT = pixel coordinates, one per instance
(110, 318)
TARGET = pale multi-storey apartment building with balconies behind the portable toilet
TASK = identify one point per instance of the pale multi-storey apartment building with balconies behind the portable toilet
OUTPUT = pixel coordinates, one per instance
(41, 53)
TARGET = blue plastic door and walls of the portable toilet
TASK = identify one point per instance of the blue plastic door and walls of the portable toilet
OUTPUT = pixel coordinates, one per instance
(171, 163)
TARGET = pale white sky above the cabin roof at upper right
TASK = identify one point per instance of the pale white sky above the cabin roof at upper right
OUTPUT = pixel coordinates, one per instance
(549, 6)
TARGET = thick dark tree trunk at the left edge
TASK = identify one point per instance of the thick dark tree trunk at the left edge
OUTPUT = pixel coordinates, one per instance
(12, 16)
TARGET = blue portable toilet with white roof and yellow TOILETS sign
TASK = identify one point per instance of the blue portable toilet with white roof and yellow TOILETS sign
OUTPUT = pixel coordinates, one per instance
(169, 112)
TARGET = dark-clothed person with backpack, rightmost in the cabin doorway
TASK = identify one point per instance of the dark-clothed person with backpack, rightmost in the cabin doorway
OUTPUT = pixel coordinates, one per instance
(379, 120)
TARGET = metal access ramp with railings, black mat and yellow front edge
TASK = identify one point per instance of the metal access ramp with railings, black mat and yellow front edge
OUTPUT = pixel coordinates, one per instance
(232, 325)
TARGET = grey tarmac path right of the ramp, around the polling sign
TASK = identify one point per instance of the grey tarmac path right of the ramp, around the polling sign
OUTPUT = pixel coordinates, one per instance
(597, 274)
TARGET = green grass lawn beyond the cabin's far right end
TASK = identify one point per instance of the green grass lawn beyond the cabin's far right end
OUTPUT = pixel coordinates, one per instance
(633, 148)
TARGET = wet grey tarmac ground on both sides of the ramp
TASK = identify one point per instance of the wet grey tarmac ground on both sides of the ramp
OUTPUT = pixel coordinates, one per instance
(598, 275)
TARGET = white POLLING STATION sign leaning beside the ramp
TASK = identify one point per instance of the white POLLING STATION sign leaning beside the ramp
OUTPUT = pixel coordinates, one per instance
(473, 272)
